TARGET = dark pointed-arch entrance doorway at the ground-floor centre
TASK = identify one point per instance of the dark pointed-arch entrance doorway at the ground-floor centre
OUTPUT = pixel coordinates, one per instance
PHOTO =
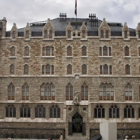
(77, 123)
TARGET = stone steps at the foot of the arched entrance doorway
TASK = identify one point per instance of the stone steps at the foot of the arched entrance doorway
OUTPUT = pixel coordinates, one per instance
(77, 136)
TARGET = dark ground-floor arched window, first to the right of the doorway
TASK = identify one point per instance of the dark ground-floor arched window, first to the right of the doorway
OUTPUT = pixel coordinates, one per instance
(99, 112)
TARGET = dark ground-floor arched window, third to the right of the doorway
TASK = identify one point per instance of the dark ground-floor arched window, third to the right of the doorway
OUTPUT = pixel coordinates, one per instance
(129, 112)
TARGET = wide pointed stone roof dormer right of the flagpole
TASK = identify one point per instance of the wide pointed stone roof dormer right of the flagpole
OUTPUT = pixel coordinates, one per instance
(104, 27)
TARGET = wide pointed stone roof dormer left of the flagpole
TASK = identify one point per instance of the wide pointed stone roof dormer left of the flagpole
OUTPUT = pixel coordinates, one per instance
(48, 30)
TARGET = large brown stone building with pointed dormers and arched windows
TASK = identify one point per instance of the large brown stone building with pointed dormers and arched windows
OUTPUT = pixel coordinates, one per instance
(67, 76)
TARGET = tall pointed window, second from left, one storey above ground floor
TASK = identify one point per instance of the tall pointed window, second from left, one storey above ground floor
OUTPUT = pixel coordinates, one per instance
(25, 92)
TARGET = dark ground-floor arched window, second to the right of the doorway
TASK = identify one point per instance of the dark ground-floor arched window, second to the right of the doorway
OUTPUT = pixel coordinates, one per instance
(114, 112)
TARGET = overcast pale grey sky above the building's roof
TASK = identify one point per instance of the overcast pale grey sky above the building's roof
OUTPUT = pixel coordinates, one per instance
(23, 11)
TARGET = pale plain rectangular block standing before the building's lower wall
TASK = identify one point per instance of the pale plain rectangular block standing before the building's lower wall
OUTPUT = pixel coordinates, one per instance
(108, 131)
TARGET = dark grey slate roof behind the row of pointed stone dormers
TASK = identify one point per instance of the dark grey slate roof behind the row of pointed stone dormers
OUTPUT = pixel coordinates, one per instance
(60, 26)
